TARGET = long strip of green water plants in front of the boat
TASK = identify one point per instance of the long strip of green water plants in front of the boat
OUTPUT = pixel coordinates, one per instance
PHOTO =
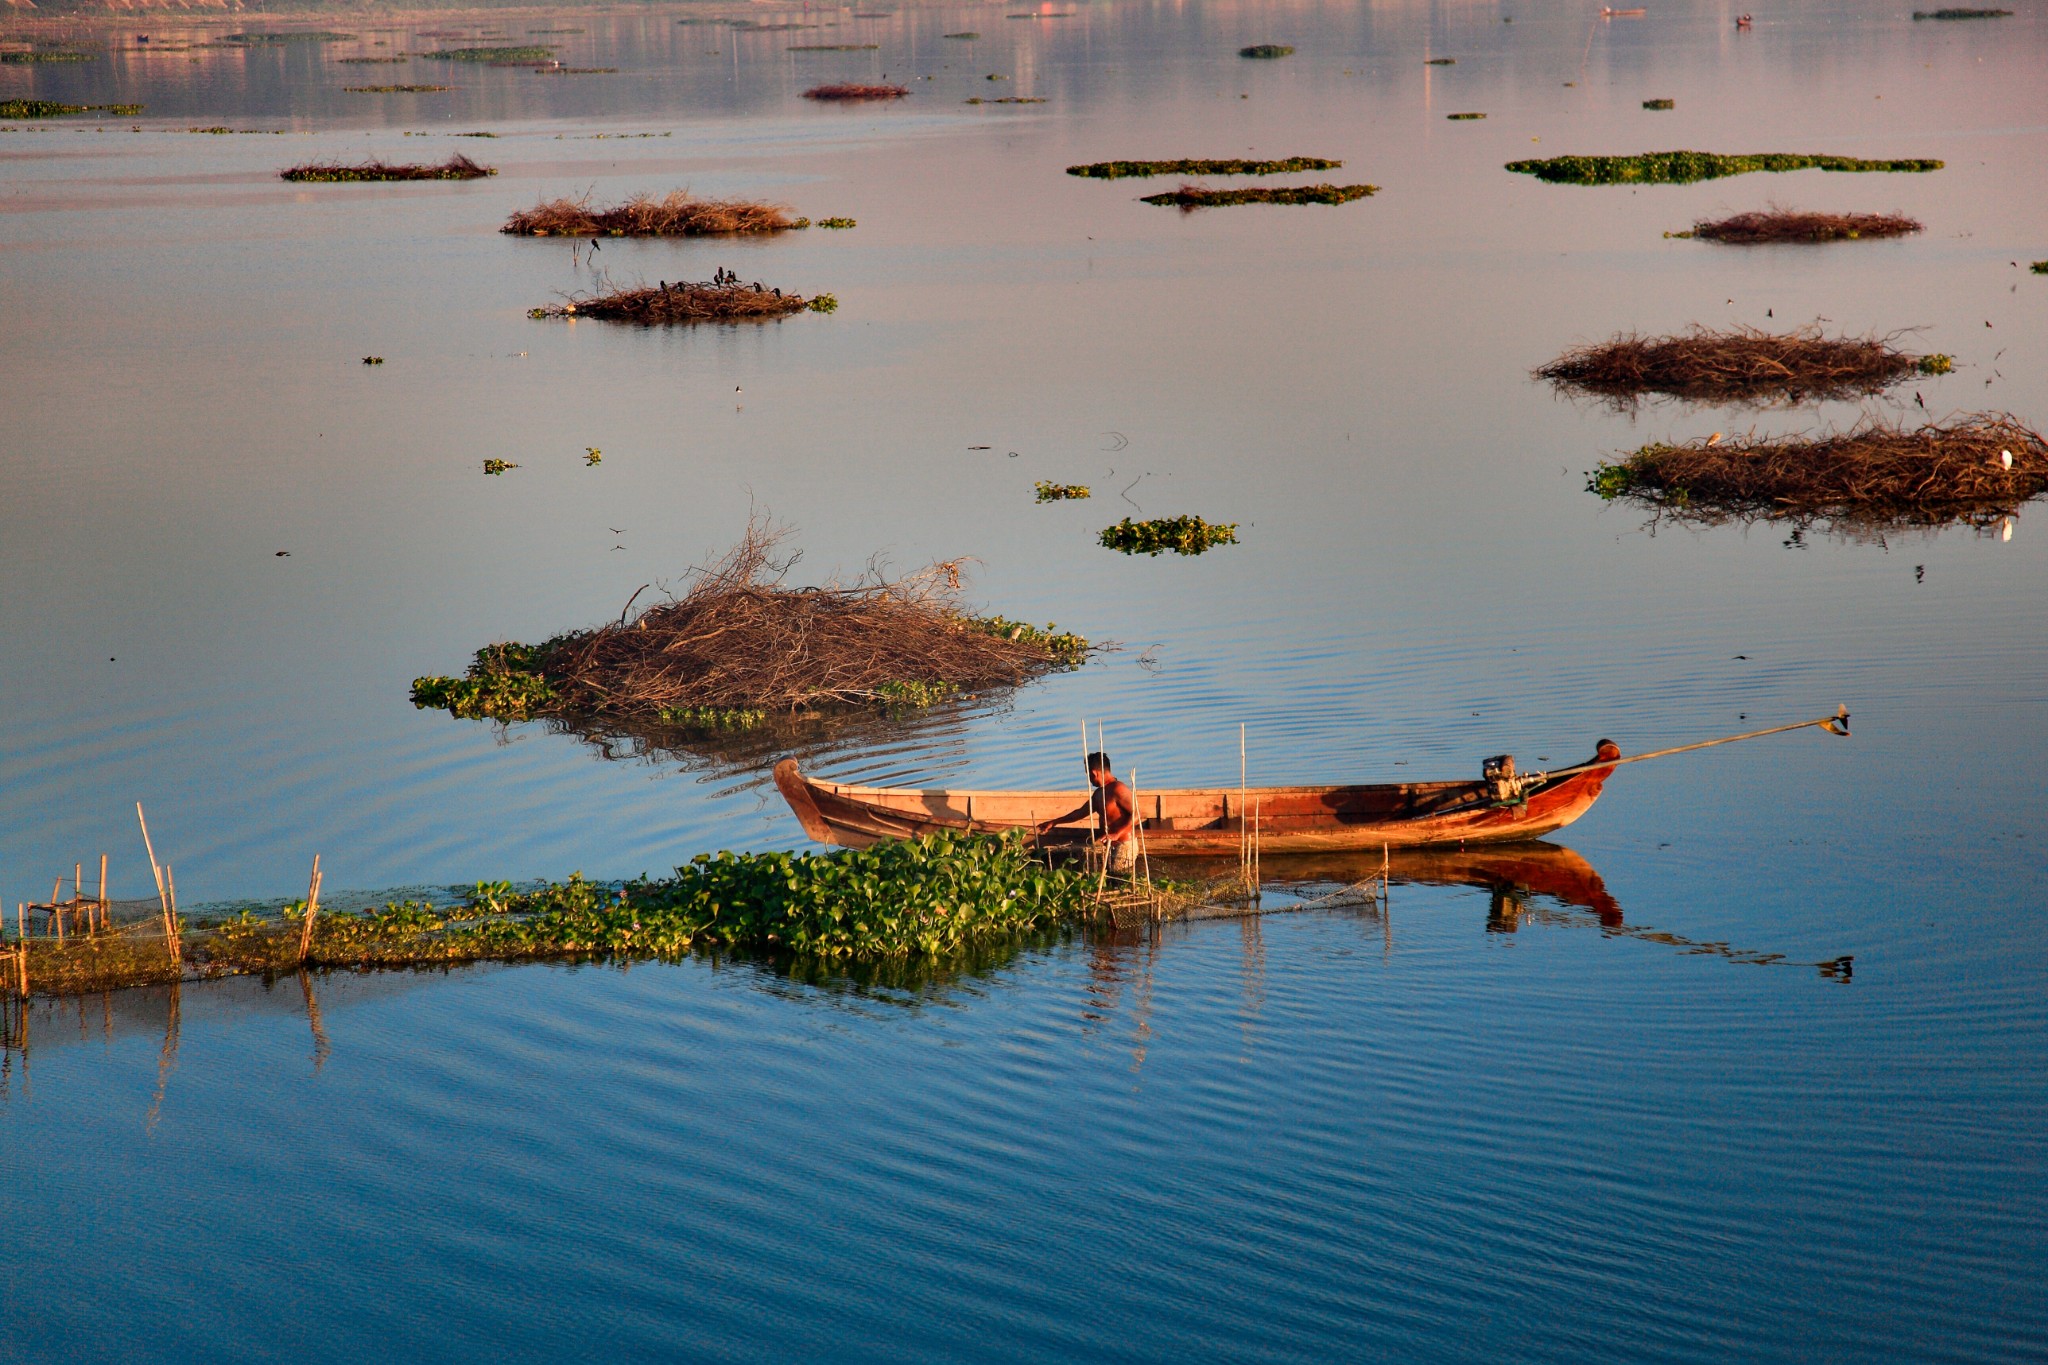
(902, 899)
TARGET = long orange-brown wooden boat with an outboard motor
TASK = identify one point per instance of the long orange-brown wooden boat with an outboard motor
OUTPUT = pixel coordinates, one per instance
(1213, 822)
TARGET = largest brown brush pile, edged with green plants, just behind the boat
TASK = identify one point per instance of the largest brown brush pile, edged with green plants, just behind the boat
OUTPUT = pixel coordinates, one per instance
(738, 642)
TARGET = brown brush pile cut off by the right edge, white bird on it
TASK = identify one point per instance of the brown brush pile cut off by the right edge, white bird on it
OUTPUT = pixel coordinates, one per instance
(1873, 476)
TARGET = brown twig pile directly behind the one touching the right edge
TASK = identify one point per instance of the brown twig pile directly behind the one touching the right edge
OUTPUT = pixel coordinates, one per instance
(1742, 365)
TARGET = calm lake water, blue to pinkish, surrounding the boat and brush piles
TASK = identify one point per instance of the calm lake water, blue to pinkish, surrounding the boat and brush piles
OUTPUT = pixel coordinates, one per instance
(1553, 1122)
